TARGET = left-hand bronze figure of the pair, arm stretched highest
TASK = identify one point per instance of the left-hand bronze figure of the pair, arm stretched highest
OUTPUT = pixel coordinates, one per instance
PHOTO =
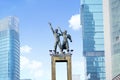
(57, 38)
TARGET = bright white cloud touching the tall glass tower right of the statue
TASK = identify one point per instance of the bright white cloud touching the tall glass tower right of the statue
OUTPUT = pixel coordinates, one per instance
(74, 22)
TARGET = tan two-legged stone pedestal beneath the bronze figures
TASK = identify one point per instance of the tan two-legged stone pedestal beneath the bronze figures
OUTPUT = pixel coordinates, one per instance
(61, 58)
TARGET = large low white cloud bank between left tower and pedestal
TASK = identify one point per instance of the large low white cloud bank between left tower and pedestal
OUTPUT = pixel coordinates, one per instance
(31, 68)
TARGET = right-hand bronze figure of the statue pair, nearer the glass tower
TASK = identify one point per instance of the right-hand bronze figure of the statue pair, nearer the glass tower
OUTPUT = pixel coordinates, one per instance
(65, 44)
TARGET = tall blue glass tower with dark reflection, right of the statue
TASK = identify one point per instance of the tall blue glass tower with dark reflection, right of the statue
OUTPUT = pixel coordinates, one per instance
(93, 38)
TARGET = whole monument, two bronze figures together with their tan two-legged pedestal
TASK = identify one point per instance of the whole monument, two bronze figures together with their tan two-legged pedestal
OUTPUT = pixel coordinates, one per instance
(63, 55)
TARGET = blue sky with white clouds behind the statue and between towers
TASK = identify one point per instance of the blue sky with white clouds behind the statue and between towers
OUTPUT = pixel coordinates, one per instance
(36, 38)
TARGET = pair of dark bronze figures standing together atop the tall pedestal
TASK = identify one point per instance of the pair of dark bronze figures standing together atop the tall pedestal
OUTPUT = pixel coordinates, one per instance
(65, 44)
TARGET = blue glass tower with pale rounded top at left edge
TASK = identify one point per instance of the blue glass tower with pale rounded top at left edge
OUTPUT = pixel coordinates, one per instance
(9, 49)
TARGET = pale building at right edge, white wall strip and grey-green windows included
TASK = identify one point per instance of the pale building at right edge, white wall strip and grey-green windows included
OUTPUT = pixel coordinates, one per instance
(112, 38)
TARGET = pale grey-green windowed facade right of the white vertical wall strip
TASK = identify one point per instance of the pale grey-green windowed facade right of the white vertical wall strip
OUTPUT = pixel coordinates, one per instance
(115, 36)
